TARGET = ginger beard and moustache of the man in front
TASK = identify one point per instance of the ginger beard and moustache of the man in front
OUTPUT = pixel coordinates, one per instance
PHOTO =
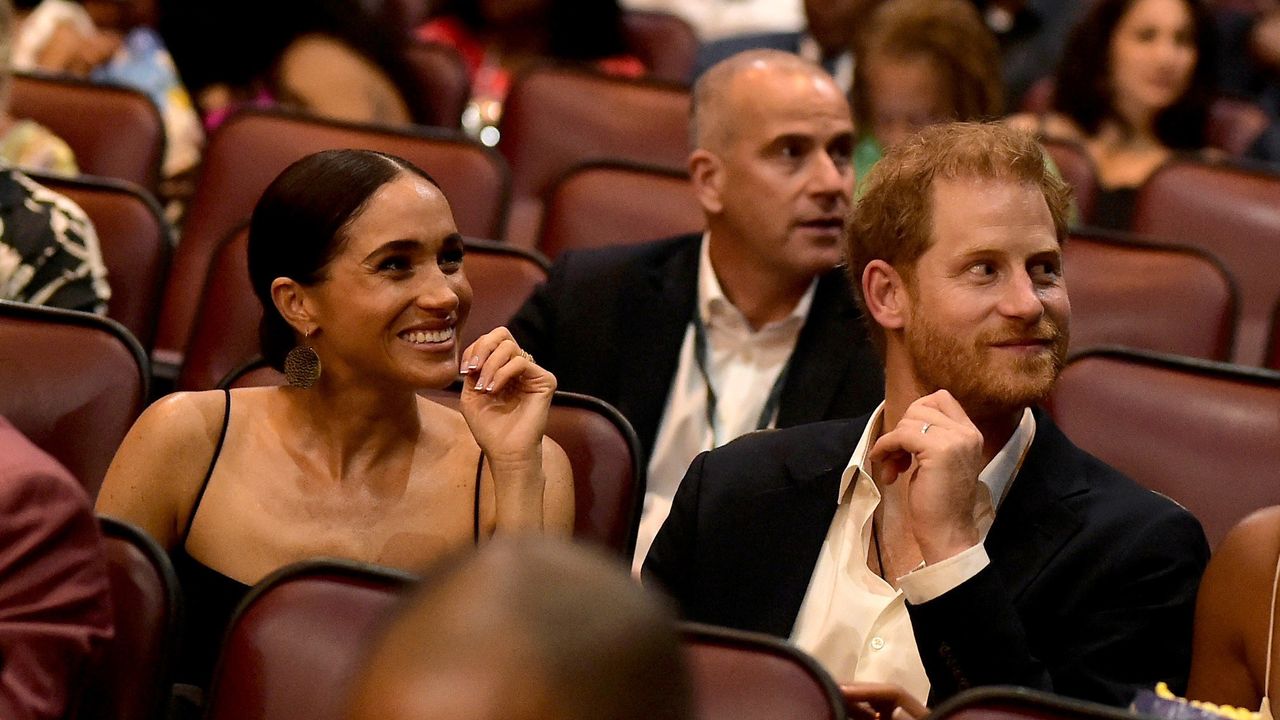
(986, 385)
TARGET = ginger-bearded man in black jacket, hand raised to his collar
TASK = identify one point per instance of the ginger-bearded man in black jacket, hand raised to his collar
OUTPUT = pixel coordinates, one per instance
(966, 541)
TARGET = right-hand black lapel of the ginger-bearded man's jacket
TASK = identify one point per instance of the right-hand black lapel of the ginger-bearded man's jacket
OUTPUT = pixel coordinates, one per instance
(1034, 523)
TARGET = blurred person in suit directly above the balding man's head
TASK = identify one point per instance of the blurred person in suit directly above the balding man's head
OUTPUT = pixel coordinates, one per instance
(828, 39)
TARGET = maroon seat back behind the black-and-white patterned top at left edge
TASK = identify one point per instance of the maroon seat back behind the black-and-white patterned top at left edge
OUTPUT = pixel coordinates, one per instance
(136, 243)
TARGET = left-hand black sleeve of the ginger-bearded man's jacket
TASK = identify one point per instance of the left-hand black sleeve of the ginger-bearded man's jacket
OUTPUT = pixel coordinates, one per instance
(671, 563)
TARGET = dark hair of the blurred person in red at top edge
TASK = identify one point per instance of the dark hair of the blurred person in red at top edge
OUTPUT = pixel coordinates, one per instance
(577, 30)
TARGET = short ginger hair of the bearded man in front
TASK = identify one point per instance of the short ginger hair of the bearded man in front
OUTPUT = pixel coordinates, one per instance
(894, 218)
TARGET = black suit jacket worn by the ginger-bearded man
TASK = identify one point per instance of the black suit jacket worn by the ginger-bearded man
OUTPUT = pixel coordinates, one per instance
(1090, 593)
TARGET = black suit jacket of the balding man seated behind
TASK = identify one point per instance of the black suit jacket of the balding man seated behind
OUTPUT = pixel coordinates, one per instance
(611, 322)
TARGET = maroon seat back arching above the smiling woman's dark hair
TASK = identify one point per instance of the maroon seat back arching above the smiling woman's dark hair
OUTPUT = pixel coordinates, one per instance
(253, 148)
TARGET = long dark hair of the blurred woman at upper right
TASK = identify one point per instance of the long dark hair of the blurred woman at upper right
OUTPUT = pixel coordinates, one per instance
(1084, 85)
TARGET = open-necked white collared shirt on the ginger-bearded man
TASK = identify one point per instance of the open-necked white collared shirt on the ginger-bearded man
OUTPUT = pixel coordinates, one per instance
(856, 623)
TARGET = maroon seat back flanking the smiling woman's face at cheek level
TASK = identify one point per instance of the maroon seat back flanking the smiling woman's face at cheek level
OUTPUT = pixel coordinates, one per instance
(227, 322)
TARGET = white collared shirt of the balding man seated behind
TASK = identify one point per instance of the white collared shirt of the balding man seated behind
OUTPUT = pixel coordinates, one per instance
(743, 366)
